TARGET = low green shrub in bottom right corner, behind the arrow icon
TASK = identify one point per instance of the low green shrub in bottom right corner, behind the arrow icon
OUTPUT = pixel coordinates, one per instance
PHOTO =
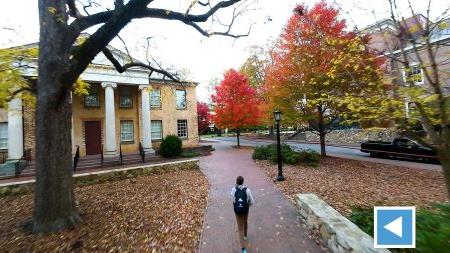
(432, 227)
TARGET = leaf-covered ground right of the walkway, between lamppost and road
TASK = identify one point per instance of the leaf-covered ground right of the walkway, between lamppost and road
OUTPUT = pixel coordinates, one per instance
(344, 183)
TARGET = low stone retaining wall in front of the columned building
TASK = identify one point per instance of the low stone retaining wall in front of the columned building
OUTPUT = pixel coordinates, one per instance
(23, 187)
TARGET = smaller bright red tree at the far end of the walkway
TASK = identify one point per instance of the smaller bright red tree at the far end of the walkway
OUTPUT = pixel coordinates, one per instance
(236, 105)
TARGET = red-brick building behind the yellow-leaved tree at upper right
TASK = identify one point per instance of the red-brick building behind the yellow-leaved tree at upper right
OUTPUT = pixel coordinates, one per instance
(386, 40)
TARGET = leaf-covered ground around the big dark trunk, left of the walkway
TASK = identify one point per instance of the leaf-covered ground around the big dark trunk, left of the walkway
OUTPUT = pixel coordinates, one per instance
(154, 213)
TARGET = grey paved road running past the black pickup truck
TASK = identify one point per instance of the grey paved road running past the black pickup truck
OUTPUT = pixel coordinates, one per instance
(344, 152)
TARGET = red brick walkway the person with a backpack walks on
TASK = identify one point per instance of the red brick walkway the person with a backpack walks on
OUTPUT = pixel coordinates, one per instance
(273, 221)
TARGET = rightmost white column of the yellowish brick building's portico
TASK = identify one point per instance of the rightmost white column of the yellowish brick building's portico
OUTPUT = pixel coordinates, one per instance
(146, 128)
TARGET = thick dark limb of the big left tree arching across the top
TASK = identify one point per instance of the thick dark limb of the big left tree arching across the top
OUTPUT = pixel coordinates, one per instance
(114, 21)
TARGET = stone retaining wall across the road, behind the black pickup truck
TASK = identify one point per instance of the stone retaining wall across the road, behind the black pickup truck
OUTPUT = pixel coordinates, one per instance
(354, 136)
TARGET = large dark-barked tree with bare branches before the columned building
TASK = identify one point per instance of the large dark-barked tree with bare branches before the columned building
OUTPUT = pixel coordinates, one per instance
(61, 61)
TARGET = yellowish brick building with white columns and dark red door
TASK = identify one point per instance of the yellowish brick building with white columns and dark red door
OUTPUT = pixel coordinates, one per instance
(121, 111)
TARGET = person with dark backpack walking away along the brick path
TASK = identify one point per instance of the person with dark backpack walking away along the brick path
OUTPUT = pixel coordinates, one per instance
(242, 200)
